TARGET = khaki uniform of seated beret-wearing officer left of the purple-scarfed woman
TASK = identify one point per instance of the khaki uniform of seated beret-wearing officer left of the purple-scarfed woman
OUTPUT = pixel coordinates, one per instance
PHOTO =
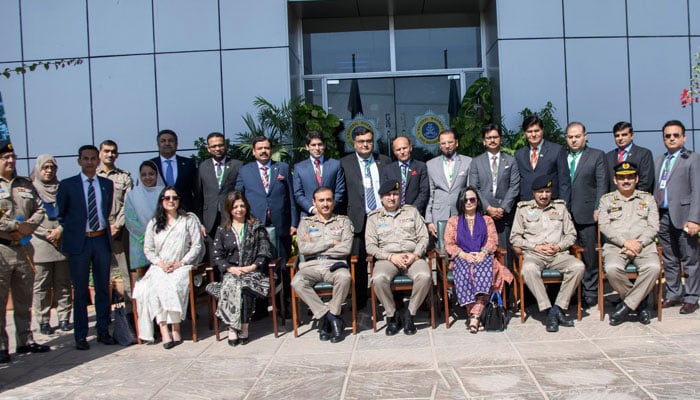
(402, 232)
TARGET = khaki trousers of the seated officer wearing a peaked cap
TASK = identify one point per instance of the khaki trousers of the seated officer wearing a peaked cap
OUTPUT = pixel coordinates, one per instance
(647, 264)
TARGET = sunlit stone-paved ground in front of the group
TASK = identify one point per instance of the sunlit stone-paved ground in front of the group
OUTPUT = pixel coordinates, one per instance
(590, 361)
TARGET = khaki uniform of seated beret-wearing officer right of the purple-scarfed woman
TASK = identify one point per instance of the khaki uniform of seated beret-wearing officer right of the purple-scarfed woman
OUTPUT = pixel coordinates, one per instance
(552, 224)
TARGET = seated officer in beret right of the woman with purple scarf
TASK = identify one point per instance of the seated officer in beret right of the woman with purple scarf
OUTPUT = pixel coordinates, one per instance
(544, 230)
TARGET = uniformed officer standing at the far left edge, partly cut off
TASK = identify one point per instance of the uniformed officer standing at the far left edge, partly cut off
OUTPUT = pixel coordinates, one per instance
(20, 213)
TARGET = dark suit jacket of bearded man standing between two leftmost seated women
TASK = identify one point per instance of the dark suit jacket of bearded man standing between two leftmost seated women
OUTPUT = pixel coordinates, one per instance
(209, 197)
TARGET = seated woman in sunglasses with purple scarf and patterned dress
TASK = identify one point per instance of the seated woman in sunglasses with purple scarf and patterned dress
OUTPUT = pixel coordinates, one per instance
(471, 239)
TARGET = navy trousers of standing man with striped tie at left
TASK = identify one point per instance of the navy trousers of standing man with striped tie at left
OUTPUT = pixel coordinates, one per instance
(96, 252)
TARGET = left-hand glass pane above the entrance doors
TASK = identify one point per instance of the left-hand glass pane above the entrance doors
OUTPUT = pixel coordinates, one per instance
(330, 43)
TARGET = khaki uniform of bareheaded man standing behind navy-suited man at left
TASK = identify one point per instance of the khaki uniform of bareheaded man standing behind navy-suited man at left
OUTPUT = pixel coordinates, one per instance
(120, 243)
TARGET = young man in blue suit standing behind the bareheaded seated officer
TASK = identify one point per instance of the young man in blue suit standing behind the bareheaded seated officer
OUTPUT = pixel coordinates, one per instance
(314, 172)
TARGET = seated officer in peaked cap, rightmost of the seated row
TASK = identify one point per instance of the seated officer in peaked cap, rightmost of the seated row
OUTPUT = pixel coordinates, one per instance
(629, 221)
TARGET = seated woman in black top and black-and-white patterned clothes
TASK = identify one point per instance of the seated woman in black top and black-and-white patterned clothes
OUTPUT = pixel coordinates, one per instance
(242, 252)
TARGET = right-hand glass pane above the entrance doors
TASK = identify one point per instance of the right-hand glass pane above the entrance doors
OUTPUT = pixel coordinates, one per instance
(421, 41)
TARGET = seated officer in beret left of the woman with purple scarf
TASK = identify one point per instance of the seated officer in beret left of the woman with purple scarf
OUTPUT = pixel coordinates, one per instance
(397, 237)
